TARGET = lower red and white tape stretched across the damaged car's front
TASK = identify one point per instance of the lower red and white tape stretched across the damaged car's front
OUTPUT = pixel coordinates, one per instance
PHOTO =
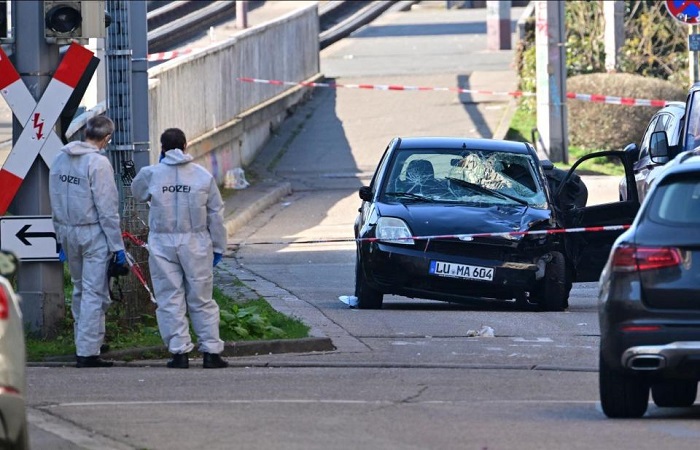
(449, 236)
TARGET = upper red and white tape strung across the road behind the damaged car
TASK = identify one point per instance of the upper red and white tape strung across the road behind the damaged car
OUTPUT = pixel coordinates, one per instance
(595, 98)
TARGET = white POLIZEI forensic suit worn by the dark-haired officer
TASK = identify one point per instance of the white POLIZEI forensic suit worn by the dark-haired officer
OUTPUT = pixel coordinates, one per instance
(186, 228)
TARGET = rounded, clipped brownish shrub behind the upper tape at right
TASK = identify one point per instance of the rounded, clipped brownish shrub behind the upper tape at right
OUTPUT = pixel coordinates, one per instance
(611, 127)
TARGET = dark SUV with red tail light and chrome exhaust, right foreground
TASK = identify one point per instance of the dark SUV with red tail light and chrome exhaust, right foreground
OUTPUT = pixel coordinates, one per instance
(649, 300)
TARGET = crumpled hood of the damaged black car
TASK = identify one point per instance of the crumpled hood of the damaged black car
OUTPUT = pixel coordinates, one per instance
(432, 219)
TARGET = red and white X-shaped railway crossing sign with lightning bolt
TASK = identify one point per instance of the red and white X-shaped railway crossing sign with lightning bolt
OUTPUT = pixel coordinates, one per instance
(39, 118)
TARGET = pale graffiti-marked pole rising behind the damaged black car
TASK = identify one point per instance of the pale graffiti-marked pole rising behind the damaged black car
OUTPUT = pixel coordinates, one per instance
(550, 58)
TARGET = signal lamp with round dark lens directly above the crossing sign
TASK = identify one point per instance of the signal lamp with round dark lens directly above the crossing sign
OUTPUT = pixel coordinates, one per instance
(66, 21)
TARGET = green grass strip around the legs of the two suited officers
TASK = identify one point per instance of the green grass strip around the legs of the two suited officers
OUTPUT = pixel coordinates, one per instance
(254, 320)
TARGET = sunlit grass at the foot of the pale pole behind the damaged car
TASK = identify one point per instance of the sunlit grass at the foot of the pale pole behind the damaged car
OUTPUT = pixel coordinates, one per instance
(520, 130)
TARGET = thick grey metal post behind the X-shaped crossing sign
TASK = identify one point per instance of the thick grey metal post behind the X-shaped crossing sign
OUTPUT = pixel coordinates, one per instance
(39, 283)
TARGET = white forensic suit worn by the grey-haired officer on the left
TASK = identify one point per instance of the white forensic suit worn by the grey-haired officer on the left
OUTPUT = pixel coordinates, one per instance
(85, 211)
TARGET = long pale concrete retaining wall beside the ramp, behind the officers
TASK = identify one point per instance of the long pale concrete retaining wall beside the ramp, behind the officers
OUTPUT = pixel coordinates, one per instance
(227, 121)
